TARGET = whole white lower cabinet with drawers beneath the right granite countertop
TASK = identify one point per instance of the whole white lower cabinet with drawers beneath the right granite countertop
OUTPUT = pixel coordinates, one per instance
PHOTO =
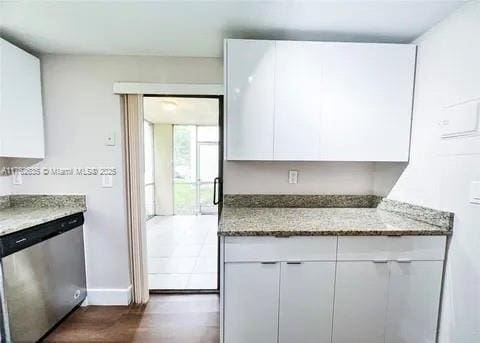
(322, 290)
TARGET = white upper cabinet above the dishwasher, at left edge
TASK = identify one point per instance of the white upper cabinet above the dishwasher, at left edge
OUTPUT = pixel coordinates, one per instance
(21, 115)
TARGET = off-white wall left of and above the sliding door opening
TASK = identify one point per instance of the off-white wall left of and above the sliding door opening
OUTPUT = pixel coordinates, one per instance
(80, 110)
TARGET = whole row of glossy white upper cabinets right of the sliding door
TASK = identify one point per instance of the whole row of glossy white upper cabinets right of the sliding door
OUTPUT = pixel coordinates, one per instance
(315, 101)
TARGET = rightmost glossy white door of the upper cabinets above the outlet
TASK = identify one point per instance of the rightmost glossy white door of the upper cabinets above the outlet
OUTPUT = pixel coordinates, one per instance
(367, 101)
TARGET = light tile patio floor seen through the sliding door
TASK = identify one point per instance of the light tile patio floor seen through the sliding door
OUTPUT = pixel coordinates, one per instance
(182, 252)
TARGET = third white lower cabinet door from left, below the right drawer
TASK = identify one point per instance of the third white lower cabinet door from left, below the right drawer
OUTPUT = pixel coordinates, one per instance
(360, 302)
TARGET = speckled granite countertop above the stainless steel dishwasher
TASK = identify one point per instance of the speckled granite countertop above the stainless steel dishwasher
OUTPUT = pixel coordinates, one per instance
(20, 212)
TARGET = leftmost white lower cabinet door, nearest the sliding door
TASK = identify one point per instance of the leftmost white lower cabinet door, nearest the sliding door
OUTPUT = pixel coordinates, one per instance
(251, 302)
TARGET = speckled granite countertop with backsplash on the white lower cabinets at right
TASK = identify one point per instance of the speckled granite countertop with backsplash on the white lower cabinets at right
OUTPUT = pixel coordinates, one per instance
(287, 221)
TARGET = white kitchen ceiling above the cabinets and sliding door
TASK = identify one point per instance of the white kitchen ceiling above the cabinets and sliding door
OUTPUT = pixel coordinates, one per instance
(197, 28)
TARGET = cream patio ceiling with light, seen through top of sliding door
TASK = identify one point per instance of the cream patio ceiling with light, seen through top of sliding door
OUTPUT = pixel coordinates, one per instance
(198, 111)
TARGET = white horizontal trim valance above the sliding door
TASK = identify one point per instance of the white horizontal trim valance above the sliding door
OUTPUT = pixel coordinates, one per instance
(167, 88)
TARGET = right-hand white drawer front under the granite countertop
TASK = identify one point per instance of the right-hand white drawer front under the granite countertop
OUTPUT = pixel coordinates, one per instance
(431, 248)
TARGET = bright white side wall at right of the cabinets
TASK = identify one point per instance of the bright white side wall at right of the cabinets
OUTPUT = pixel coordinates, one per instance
(439, 173)
